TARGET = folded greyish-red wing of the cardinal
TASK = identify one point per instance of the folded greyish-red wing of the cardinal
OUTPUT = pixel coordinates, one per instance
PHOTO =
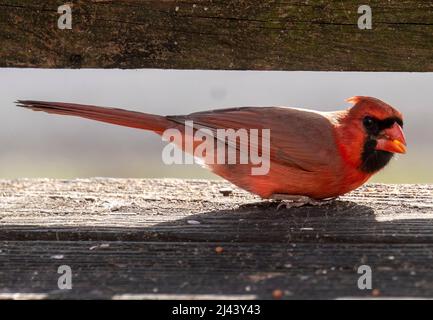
(298, 138)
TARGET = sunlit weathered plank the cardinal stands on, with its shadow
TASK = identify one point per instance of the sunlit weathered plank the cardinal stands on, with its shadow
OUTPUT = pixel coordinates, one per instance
(168, 210)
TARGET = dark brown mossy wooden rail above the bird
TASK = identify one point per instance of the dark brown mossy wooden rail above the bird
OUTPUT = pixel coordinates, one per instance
(205, 34)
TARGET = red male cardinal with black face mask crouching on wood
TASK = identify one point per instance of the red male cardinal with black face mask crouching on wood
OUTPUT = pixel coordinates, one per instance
(313, 154)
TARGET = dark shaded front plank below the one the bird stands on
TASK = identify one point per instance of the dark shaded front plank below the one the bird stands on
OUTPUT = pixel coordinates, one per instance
(123, 270)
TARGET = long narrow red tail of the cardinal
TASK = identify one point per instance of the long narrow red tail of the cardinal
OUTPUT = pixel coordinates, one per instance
(120, 117)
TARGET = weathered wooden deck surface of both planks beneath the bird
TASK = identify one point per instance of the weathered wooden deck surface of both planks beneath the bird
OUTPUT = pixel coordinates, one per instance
(163, 239)
